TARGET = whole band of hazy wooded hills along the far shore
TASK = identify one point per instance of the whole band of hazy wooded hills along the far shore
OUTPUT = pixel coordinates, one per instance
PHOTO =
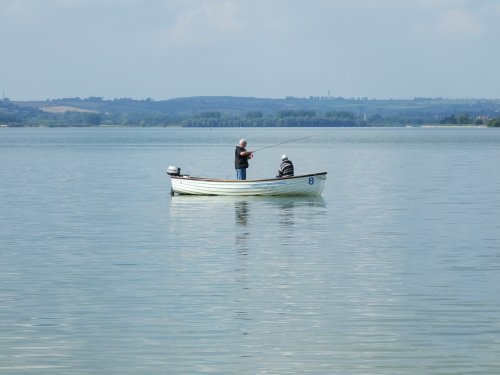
(243, 112)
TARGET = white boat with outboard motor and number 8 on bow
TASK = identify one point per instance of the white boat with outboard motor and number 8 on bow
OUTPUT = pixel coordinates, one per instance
(308, 184)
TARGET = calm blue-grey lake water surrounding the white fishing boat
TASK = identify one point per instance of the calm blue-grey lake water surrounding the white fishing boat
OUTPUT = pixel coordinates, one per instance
(395, 269)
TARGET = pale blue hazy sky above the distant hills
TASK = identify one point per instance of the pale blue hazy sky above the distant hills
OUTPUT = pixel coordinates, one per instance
(164, 49)
